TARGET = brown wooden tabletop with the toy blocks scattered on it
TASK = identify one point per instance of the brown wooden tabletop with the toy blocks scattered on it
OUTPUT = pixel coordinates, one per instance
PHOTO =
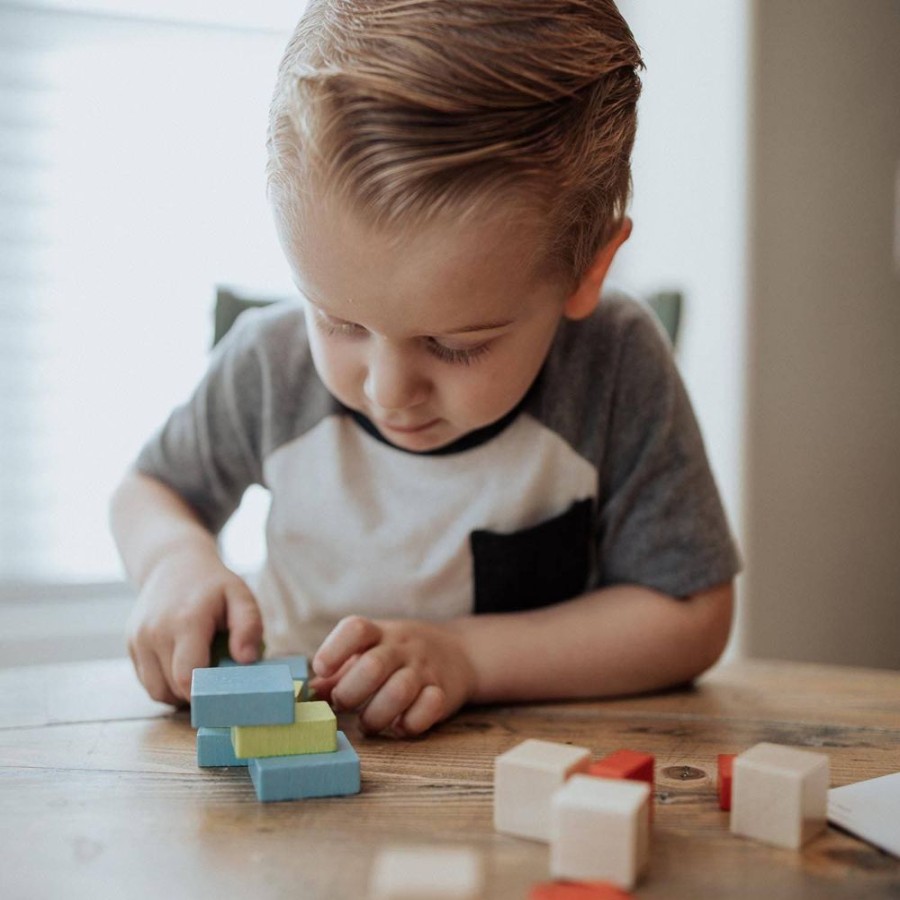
(100, 795)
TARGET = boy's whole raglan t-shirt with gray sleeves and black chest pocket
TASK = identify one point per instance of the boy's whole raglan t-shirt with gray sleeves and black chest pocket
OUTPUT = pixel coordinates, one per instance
(598, 477)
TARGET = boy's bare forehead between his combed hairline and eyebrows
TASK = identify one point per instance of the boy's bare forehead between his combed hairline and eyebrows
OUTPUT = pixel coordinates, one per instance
(443, 275)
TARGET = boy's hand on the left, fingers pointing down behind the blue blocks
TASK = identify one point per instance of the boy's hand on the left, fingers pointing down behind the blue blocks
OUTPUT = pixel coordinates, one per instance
(186, 598)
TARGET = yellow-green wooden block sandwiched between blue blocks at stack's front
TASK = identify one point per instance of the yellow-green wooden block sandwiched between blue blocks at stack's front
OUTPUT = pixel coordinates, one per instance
(314, 731)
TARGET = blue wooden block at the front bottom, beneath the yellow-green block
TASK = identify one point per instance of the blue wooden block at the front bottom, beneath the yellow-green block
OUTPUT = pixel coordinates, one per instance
(310, 775)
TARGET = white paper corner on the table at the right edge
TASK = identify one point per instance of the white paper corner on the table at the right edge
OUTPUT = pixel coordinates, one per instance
(870, 810)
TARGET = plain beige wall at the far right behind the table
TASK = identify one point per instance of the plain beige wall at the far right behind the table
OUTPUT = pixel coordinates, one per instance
(822, 508)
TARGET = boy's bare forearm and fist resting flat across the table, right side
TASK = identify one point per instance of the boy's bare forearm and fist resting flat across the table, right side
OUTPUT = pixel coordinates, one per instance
(410, 674)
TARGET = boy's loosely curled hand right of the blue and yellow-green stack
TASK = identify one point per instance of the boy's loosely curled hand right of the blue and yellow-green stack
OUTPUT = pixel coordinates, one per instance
(404, 675)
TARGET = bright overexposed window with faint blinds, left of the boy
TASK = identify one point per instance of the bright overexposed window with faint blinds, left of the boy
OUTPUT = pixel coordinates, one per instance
(131, 183)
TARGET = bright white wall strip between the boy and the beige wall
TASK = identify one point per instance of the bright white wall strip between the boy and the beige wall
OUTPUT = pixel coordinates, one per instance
(689, 206)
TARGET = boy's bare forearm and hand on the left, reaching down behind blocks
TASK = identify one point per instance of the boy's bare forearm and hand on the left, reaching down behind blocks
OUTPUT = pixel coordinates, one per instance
(186, 592)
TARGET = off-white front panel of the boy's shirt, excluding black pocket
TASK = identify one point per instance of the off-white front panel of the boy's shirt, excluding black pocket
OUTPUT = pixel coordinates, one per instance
(357, 526)
